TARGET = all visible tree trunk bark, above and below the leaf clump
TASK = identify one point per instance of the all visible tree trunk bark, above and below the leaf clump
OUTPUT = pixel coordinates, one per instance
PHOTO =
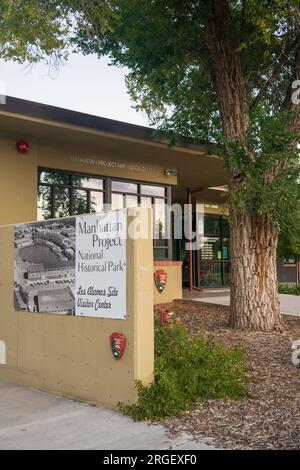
(254, 290)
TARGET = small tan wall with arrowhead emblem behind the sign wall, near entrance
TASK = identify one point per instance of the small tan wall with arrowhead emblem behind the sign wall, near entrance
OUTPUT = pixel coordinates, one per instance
(173, 289)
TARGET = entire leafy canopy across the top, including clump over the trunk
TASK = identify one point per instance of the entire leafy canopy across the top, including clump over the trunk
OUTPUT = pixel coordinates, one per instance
(165, 46)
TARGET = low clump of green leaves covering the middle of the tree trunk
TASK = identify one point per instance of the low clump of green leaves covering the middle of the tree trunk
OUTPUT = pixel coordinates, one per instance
(271, 184)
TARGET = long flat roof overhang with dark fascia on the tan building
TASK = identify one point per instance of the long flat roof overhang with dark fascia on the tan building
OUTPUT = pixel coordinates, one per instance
(194, 164)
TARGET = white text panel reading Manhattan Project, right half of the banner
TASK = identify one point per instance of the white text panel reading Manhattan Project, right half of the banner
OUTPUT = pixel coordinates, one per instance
(101, 265)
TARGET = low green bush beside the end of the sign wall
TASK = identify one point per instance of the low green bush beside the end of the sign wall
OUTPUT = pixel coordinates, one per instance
(188, 370)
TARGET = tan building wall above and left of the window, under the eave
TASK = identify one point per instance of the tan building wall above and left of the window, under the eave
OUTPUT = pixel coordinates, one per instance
(19, 172)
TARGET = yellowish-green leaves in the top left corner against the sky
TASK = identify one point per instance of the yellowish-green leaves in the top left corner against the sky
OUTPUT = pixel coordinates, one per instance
(35, 30)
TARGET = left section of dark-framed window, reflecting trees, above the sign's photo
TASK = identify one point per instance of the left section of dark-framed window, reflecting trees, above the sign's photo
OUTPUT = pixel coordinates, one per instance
(62, 194)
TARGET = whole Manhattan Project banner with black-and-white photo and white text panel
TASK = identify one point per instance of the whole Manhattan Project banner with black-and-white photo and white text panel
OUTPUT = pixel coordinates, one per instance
(73, 266)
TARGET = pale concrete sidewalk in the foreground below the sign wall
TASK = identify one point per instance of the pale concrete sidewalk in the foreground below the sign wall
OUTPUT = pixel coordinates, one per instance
(31, 419)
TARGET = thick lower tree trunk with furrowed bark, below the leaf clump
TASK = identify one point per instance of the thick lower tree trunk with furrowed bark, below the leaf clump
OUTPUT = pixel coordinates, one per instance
(254, 302)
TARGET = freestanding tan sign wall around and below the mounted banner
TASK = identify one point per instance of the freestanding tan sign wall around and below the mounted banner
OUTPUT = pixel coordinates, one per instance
(71, 355)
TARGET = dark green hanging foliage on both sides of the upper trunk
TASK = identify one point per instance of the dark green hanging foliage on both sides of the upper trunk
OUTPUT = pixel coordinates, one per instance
(164, 45)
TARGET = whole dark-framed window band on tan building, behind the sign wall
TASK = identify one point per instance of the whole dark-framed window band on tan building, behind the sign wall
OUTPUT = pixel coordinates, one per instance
(61, 194)
